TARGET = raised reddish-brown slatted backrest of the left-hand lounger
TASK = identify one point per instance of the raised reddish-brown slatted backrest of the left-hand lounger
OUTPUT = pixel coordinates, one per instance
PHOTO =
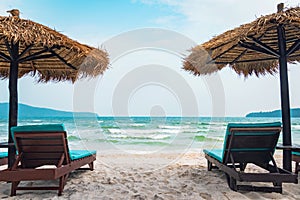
(41, 144)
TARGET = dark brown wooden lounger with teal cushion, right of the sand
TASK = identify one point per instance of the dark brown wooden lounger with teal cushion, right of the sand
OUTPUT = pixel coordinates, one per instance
(250, 143)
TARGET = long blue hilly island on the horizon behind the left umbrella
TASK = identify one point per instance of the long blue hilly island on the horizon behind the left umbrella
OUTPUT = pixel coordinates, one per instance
(26, 111)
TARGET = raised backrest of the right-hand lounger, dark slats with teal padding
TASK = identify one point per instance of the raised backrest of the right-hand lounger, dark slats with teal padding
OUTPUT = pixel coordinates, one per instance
(250, 143)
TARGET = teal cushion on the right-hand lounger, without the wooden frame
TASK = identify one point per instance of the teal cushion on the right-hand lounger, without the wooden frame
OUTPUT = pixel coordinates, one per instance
(219, 153)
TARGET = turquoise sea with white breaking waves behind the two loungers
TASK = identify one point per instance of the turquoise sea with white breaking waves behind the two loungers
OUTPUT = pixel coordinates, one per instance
(142, 135)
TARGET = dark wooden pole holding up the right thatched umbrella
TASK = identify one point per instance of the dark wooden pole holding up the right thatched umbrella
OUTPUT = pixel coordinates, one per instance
(285, 101)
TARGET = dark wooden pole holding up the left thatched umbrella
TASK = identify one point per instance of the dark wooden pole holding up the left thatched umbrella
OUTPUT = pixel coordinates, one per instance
(13, 100)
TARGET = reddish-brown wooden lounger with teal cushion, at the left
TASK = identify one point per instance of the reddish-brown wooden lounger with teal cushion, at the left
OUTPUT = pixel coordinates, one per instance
(43, 154)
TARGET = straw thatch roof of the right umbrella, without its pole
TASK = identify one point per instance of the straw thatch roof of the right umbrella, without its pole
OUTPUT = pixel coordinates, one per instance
(249, 49)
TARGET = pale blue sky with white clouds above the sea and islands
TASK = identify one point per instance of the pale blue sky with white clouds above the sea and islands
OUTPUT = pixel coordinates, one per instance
(141, 33)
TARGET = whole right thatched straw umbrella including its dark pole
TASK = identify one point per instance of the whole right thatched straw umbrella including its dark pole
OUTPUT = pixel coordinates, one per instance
(264, 46)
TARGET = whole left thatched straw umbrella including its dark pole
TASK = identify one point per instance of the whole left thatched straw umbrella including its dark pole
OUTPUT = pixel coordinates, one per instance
(30, 48)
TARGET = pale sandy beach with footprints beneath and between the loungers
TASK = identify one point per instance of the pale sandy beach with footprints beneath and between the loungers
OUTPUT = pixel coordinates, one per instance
(149, 176)
